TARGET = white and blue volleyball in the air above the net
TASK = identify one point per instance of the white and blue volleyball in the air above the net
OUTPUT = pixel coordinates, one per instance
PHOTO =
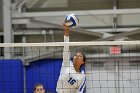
(71, 20)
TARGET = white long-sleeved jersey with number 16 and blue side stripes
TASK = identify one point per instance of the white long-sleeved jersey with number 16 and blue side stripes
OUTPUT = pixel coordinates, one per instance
(69, 80)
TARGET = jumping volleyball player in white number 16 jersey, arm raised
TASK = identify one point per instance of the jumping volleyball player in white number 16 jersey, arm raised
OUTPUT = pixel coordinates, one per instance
(72, 75)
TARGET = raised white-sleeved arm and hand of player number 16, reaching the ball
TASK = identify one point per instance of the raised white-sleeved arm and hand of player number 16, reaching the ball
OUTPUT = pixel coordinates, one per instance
(66, 52)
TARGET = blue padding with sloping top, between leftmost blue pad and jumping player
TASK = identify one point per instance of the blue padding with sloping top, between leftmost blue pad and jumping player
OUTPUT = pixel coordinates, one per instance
(44, 71)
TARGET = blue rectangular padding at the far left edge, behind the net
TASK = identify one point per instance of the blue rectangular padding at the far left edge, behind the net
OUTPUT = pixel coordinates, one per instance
(11, 76)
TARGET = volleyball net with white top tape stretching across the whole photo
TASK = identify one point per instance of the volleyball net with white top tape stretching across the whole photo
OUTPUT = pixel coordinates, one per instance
(111, 67)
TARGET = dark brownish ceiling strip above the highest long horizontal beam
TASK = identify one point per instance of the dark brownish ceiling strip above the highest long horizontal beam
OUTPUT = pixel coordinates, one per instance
(68, 5)
